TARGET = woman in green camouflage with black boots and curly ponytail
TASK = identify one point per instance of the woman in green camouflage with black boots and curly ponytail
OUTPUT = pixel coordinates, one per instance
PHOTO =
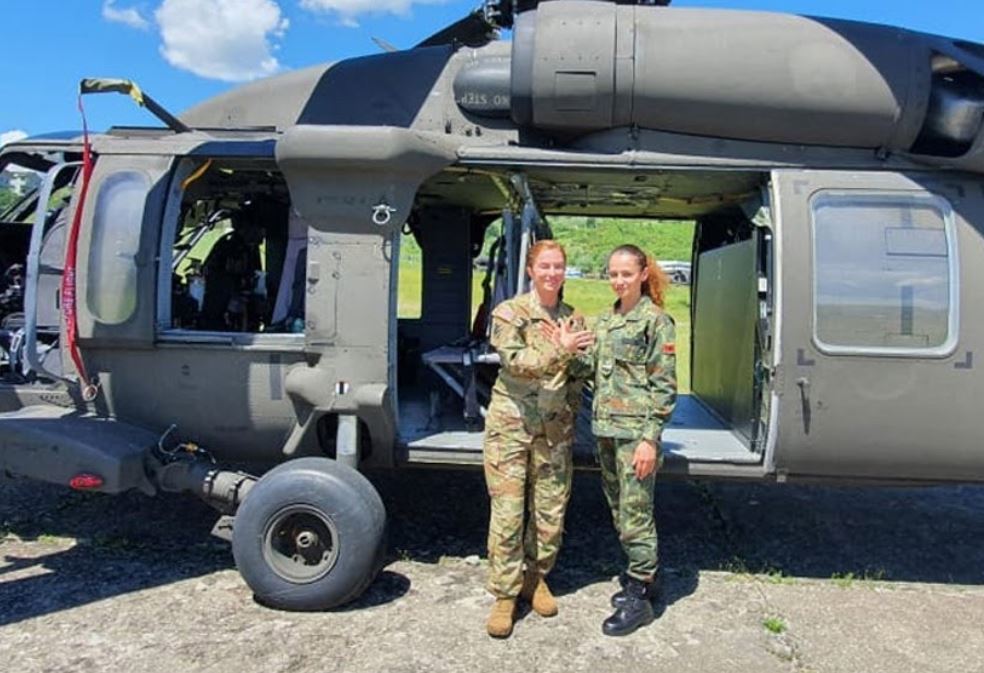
(633, 363)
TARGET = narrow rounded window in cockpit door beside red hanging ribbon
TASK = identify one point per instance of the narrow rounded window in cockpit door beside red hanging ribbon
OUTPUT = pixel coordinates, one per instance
(112, 289)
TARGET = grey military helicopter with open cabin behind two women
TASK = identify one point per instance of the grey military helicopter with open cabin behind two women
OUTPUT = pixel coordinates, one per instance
(207, 298)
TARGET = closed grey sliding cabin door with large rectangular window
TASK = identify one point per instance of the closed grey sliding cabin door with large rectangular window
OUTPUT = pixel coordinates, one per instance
(881, 333)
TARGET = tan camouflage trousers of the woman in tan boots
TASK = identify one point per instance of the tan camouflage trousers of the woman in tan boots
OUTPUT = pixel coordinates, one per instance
(529, 484)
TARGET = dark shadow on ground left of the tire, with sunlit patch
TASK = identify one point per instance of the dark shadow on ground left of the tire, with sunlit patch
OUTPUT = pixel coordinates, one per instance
(121, 544)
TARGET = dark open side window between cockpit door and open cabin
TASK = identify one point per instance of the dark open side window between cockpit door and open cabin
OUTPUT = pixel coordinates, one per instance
(236, 265)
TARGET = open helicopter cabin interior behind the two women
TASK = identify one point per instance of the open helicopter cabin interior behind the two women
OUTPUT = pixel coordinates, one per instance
(470, 231)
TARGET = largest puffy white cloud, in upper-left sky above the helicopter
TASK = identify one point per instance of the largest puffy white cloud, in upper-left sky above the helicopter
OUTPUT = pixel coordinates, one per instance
(229, 40)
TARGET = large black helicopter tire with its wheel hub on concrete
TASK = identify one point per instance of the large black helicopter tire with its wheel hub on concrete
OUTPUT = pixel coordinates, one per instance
(309, 535)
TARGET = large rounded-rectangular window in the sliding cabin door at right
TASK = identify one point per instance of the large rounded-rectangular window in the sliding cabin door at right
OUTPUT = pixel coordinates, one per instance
(884, 273)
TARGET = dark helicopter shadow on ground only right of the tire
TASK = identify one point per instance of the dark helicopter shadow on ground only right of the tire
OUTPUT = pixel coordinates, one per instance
(901, 534)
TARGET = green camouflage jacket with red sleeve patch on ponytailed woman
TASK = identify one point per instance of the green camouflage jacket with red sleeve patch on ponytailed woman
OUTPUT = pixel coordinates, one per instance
(633, 362)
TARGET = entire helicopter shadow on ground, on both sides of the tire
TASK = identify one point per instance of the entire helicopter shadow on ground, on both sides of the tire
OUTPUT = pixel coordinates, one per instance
(131, 542)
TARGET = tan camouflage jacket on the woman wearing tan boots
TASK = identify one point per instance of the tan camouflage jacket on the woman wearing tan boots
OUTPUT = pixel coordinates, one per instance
(533, 381)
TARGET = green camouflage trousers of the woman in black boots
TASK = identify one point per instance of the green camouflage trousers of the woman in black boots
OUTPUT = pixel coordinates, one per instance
(631, 502)
